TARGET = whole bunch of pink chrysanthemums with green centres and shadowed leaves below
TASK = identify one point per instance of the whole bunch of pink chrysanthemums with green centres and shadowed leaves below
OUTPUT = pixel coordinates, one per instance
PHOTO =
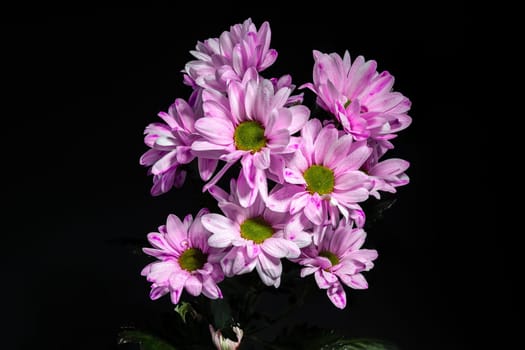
(290, 209)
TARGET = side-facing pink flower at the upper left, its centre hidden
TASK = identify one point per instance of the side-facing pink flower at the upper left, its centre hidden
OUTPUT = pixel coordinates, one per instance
(170, 144)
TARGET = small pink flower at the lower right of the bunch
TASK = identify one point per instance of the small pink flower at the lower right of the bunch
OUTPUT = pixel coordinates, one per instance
(337, 258)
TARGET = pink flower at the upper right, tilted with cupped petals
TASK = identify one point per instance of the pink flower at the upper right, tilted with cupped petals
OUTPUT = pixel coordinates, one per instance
(358, 96)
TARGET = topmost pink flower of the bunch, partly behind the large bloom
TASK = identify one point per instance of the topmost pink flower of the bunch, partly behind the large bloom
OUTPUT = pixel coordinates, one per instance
(219, 60)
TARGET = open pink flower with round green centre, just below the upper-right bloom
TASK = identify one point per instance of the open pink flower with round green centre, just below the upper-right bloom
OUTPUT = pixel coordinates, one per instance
(323, 179)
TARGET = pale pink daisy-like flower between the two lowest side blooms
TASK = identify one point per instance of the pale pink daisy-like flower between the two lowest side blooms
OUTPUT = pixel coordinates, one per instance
(256, 237)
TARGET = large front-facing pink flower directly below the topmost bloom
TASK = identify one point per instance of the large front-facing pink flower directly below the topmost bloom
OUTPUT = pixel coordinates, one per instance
(251, 124)
